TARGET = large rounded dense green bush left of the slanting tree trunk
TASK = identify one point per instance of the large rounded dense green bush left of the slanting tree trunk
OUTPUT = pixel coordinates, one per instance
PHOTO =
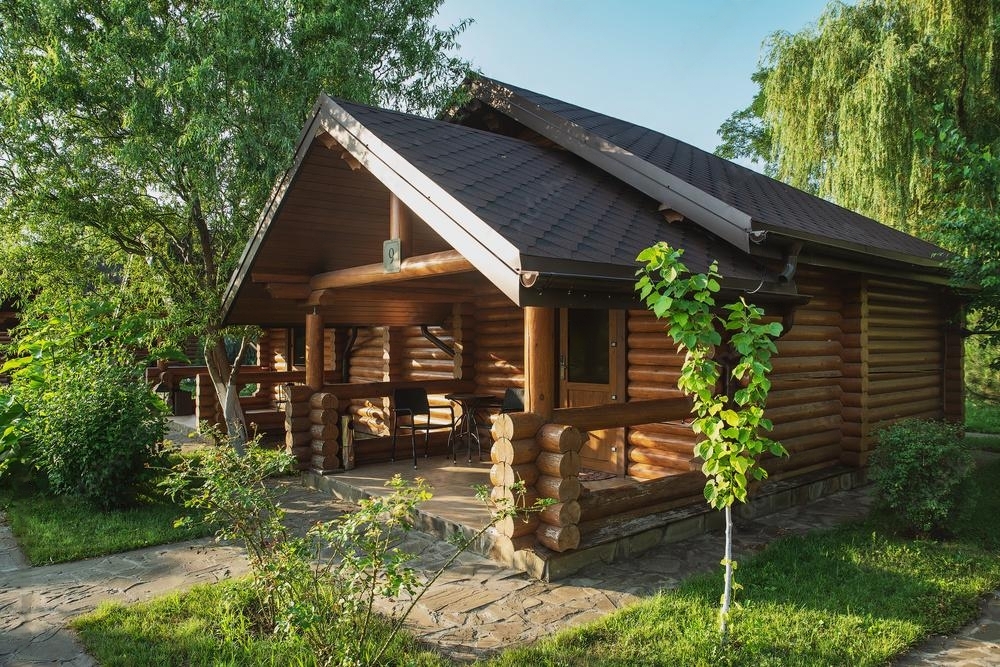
(93, 427)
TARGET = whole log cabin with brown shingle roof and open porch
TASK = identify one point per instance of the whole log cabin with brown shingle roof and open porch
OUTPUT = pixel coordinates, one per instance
(494, 248)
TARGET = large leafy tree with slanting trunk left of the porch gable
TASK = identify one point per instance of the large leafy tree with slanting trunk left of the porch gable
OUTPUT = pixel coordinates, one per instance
(139, 140)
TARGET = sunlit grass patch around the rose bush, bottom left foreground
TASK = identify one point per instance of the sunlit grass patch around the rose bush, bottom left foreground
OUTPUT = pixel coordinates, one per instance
(200, 627)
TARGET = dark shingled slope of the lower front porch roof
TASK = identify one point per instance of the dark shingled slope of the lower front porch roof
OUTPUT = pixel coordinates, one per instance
(548, 203)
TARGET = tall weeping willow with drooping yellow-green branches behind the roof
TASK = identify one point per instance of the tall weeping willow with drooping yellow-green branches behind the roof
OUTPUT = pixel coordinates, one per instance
(839, 102)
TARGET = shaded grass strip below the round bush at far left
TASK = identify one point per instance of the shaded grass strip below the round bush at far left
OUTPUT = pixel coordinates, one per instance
(56, 529)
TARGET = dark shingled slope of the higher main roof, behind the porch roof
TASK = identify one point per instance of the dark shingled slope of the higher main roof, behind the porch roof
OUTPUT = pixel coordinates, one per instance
(767, 201)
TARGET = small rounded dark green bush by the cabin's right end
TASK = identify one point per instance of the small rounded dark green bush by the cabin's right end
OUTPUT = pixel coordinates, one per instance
(921, 471)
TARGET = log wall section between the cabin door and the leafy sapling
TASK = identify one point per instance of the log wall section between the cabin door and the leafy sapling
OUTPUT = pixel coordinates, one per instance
(666, 448)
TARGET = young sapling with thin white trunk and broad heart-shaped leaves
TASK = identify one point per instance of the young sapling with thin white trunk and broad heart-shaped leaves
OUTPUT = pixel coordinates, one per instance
(729, 423)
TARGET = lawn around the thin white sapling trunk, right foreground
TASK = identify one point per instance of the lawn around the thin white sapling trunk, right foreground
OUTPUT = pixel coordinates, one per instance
(856, 595)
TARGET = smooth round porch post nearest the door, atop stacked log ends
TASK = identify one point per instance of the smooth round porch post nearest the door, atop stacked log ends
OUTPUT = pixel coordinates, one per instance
(539, 360)
